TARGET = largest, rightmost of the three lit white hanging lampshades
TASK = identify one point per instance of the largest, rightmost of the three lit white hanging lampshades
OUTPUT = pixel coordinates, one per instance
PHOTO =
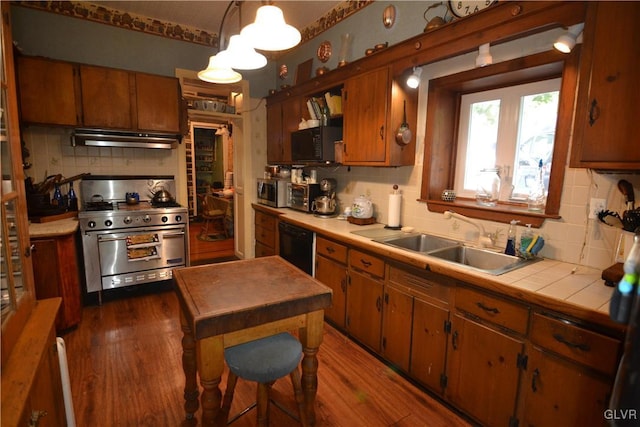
(269, 31)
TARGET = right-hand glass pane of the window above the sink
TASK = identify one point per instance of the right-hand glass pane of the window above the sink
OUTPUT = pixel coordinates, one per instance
(536, 134)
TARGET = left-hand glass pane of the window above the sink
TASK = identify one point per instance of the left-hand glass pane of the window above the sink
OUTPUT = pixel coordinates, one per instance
(482, 140)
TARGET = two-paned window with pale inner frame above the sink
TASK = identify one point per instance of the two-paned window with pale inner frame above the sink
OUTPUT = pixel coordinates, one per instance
(510, 129)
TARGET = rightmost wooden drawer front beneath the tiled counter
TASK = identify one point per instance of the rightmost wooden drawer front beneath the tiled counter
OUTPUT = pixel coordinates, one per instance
(582, 345)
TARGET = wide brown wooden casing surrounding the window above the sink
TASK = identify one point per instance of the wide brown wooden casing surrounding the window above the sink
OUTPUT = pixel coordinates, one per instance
(441, 134)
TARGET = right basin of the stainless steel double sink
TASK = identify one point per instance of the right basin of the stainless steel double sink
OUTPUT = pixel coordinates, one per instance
(481, 259)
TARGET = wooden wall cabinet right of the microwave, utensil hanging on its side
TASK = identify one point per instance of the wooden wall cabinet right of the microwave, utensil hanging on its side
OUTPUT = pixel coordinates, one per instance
(373, 109)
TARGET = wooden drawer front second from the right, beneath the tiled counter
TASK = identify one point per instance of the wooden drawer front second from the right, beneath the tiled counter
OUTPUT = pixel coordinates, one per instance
(501, 312)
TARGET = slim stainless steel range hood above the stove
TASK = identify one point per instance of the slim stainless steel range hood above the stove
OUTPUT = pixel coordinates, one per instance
(107, 138)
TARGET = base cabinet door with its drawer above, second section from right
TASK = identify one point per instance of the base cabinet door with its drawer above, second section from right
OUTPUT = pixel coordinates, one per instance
(484, 364)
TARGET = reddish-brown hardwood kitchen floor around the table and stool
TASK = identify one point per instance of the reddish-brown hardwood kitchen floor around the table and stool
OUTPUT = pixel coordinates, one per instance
(126, 370)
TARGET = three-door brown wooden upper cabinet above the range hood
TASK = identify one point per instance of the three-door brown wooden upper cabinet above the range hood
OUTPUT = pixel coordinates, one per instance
(96, 97)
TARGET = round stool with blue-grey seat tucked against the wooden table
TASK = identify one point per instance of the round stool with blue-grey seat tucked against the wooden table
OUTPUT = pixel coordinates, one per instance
(264, 361)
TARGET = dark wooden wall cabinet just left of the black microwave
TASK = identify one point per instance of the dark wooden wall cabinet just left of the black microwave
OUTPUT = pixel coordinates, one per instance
(283, 117)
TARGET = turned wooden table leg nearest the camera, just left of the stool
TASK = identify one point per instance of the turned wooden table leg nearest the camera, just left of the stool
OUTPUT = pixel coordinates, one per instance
(210, 366)
